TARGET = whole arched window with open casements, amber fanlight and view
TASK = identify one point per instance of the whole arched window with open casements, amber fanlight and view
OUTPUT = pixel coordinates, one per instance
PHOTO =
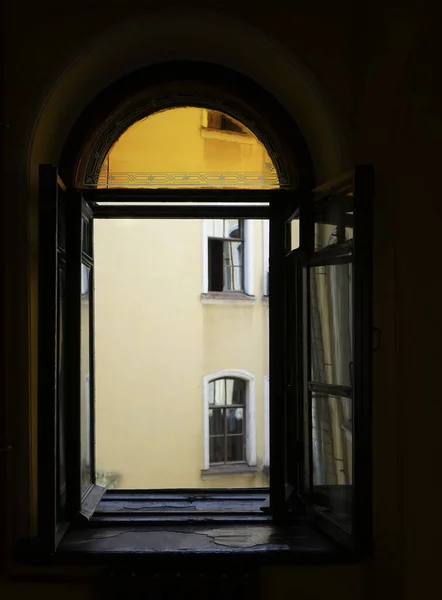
(151, 167)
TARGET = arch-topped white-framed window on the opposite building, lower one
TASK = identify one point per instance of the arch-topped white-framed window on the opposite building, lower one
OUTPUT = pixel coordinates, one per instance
(229, 427)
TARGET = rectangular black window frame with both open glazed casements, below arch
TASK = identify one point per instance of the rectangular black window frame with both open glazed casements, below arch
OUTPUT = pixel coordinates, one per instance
(320, 347)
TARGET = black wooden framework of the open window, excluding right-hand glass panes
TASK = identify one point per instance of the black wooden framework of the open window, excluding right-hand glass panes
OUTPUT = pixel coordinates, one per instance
(69, 214)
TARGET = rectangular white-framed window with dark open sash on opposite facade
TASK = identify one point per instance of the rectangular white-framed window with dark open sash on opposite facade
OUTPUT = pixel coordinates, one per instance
(227, 256)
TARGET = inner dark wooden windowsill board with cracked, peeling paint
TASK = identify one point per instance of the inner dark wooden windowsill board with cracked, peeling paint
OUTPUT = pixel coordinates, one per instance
(146, 548)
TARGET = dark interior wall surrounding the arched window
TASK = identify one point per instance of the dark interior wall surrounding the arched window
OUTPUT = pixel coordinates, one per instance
(380, 96)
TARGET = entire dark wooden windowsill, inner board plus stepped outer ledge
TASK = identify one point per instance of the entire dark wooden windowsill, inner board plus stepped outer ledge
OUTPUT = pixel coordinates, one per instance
(142, 531)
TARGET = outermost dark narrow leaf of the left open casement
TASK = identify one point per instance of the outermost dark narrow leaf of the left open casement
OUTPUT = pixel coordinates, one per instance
(53, 515)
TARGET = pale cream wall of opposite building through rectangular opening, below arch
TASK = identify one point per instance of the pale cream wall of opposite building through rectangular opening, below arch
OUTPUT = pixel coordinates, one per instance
(161, 352)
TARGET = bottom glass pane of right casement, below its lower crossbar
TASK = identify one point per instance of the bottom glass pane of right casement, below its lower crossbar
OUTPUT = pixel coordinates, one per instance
(332, 455)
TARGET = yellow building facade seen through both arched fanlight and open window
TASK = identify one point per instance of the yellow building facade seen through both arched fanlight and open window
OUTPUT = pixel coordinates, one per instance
(181, 315)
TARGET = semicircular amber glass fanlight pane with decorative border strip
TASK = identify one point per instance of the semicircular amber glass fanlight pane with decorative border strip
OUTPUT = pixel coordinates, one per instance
(175, 148)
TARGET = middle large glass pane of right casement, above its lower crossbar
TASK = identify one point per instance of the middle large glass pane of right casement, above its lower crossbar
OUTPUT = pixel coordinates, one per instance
(331, 317)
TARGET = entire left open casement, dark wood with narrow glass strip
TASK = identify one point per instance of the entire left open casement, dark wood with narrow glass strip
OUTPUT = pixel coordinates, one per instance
(67, 489)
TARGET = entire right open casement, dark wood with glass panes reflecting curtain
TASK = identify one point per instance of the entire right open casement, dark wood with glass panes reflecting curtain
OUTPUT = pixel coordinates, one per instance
(329, 355)
